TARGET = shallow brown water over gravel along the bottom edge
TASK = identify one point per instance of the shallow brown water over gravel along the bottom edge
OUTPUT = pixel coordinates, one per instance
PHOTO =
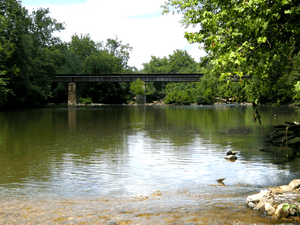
(180, 207)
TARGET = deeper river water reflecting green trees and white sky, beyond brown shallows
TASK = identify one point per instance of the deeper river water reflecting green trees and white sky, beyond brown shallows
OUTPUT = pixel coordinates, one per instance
(130, 151)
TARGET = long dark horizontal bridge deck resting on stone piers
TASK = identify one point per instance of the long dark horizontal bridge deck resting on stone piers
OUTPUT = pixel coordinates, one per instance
(162, 77)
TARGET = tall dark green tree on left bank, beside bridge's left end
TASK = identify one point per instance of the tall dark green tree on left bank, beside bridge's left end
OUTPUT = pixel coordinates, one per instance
(32, 60)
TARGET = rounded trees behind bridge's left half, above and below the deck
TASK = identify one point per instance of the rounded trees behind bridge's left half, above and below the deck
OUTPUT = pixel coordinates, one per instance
(83, 55)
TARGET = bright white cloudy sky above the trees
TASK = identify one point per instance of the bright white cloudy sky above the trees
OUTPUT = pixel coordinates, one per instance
(139, 23)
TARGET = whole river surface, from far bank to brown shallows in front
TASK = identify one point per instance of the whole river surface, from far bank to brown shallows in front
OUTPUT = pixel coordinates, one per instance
(138, 164)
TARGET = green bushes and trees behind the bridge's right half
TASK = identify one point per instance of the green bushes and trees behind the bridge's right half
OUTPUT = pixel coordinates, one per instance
(207, 91)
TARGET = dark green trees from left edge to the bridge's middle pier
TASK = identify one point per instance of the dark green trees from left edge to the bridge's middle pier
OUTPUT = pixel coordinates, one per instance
(31, 55)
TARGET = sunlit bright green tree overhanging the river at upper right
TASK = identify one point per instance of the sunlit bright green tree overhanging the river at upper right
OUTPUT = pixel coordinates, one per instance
(249, 37)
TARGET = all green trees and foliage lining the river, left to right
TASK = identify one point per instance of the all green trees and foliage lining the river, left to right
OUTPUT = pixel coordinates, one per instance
(32, 56)
